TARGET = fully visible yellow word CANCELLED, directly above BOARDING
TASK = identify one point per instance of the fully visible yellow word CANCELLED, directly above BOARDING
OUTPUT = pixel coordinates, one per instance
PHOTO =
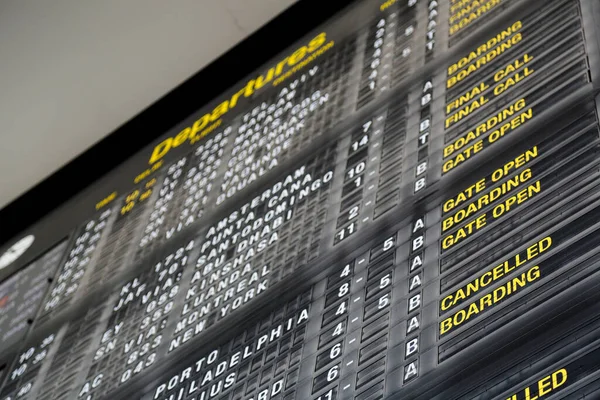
(493, 275)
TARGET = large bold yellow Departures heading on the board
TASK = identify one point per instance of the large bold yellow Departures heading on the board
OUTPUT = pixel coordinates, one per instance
(208, 122)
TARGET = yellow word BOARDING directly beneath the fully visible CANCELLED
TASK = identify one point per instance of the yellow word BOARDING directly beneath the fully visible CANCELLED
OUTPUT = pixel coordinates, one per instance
(486, 302)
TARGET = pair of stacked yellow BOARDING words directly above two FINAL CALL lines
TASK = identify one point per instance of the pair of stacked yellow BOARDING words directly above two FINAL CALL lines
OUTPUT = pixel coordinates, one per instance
(484, 54)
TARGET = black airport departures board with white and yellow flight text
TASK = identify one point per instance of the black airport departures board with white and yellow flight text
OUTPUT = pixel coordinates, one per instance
(403, 204)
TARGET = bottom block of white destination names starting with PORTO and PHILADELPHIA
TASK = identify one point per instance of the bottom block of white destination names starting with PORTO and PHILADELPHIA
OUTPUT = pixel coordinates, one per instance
(260, 362)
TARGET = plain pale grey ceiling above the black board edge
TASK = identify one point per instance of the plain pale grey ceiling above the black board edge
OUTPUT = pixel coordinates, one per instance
(72, 71)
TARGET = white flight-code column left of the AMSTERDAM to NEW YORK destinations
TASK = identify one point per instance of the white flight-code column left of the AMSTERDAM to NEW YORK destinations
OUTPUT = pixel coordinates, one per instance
(134, 336)
